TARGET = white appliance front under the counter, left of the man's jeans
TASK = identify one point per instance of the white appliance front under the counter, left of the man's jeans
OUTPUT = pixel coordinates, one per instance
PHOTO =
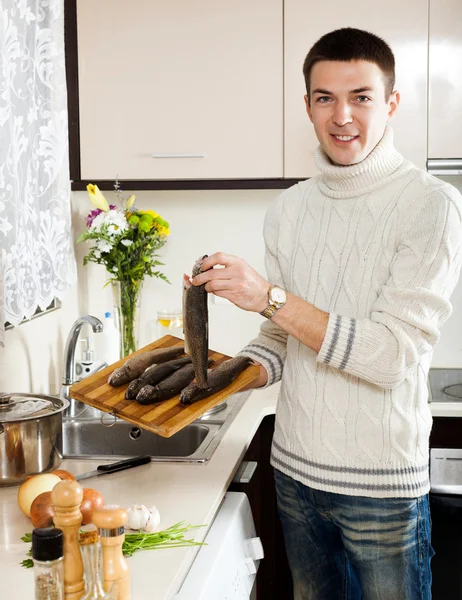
(227, 565)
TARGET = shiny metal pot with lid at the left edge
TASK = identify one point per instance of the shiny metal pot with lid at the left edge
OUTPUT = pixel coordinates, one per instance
(30, 435)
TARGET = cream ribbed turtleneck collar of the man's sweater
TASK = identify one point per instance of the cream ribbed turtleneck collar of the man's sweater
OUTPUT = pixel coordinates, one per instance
(378, 168)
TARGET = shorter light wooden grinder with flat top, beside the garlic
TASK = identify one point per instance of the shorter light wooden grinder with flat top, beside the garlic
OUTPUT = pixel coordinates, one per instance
(110, 521)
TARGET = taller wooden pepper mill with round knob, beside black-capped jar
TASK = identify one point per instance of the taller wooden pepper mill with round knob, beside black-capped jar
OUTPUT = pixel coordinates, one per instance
(67, 496)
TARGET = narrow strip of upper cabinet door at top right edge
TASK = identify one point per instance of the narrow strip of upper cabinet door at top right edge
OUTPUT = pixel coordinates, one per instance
(445, 72)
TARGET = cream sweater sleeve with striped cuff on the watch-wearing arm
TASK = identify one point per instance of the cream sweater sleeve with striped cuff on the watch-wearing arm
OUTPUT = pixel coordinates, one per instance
(405, 319)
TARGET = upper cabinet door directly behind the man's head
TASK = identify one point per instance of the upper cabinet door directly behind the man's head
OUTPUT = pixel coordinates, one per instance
(403, 25)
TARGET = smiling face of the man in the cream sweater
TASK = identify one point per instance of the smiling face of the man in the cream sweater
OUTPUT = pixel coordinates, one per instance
(348, 109)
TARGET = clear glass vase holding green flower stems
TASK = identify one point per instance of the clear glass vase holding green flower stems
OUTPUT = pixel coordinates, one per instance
(127, 301)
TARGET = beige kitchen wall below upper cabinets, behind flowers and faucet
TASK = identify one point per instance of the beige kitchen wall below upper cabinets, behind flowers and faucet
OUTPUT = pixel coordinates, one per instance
(202, 222)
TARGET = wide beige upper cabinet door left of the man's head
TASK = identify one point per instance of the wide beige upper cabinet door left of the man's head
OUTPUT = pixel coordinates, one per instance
(174, 89)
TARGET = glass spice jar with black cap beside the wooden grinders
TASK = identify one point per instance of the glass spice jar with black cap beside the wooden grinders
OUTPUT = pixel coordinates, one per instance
(47, 553)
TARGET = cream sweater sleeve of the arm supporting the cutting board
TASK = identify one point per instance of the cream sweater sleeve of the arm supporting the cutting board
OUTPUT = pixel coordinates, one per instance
(269, 348)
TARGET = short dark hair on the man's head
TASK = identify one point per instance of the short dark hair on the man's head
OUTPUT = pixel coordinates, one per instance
(348, 44)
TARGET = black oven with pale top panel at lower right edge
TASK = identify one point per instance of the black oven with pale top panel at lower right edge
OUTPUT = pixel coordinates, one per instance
(446, 514)
